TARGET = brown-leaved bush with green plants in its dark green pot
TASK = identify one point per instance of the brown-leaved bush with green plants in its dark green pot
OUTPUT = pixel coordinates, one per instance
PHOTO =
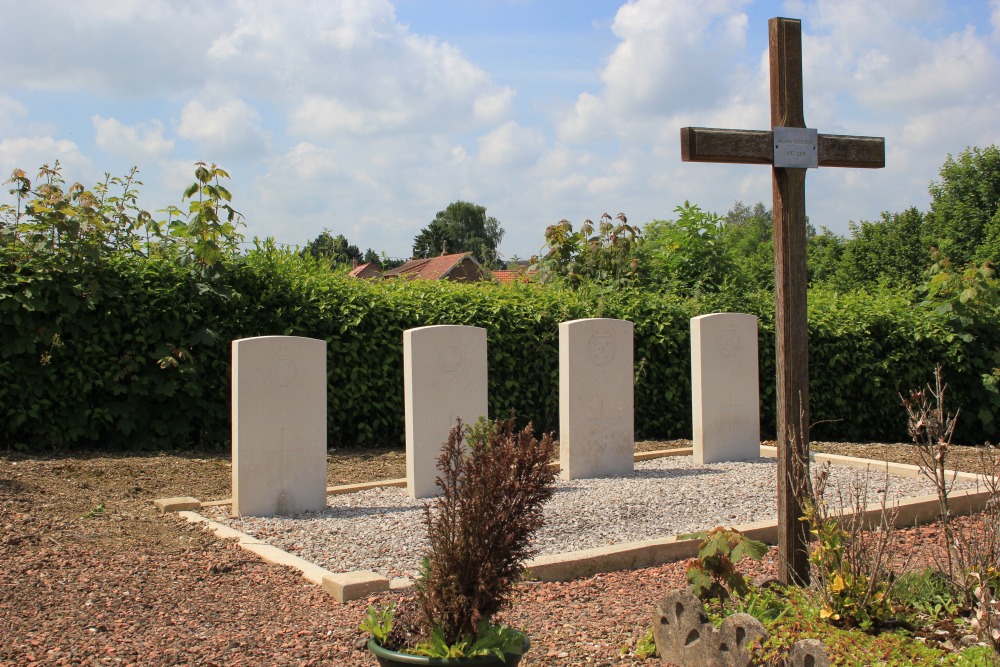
(479, 536)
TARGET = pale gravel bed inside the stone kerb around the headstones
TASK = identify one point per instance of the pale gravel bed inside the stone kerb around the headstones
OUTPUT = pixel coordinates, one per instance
(382, 529)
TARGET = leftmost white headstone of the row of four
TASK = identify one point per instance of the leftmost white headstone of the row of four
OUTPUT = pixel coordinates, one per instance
(279, 425)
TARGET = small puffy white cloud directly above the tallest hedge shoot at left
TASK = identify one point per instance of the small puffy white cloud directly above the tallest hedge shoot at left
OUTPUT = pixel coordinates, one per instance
(228, 130)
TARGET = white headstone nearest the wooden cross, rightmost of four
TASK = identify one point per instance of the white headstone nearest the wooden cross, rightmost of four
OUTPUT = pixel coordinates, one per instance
(725, 396)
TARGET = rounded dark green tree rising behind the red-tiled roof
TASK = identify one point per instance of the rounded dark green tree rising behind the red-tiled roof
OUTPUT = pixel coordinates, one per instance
(461, 227)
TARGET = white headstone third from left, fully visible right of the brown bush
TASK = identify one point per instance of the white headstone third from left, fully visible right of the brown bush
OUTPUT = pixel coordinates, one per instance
(596, 410)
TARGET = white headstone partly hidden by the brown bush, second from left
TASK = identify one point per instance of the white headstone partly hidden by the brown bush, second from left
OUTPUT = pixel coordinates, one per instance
(444, 378)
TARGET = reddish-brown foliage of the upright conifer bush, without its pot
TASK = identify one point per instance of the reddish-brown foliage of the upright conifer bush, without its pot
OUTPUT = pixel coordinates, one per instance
(480, 527)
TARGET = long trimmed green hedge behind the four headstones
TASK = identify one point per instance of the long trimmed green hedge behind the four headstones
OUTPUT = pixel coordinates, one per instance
(135, 352)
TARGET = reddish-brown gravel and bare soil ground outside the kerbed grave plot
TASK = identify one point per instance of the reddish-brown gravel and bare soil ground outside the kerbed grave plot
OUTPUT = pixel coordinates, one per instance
(92, 575)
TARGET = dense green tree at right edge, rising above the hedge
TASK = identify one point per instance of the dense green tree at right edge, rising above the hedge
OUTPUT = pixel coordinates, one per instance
(963, 221)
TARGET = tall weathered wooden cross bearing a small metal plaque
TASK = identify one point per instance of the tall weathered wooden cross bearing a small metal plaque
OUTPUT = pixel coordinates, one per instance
(790, 148)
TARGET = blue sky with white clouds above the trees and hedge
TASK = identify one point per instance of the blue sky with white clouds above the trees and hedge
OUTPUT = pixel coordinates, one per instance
(366, 117)
